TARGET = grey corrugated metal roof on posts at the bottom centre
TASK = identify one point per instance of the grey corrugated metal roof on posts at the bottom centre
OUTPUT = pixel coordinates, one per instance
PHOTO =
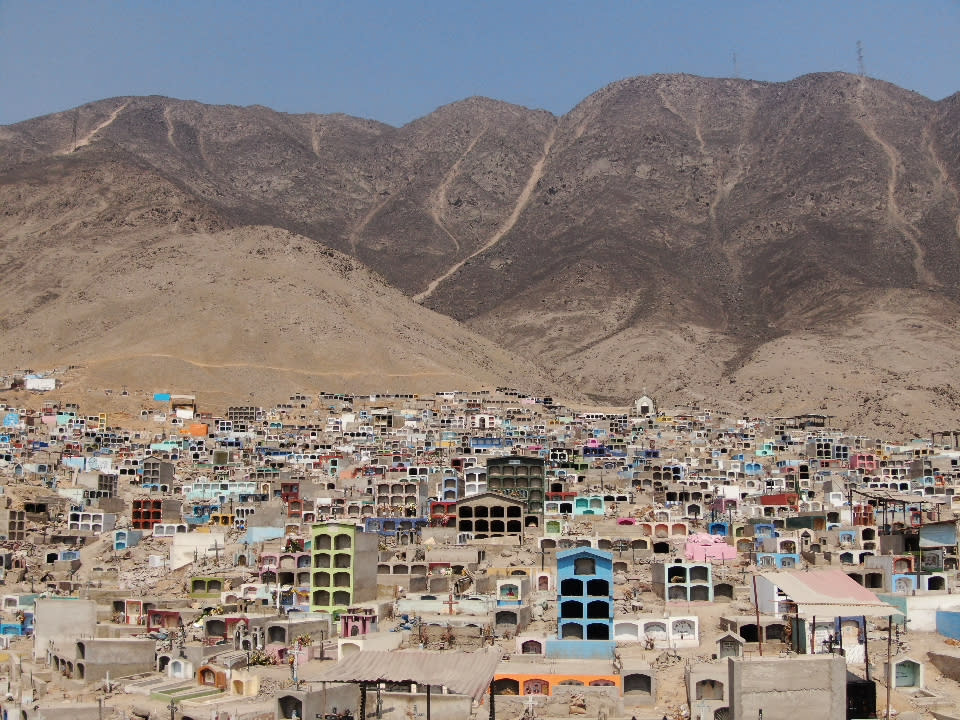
(462, 672)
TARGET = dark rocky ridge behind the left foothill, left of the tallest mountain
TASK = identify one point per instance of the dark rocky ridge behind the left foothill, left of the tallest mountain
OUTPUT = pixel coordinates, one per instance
(405, 201)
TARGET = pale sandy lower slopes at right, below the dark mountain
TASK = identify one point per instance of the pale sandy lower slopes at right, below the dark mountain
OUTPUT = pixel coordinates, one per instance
(890, 369)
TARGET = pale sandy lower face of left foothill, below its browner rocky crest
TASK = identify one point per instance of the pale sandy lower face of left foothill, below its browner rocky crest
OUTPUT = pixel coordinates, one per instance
(252, 311)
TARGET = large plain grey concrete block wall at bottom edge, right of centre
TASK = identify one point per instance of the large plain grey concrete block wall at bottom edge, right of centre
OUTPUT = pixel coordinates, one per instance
(780, 687)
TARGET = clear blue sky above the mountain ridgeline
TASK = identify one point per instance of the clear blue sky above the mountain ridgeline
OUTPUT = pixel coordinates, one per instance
(396, 61)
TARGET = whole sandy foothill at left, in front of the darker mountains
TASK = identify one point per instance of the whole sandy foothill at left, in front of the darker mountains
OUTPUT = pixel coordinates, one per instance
(111, 268)
